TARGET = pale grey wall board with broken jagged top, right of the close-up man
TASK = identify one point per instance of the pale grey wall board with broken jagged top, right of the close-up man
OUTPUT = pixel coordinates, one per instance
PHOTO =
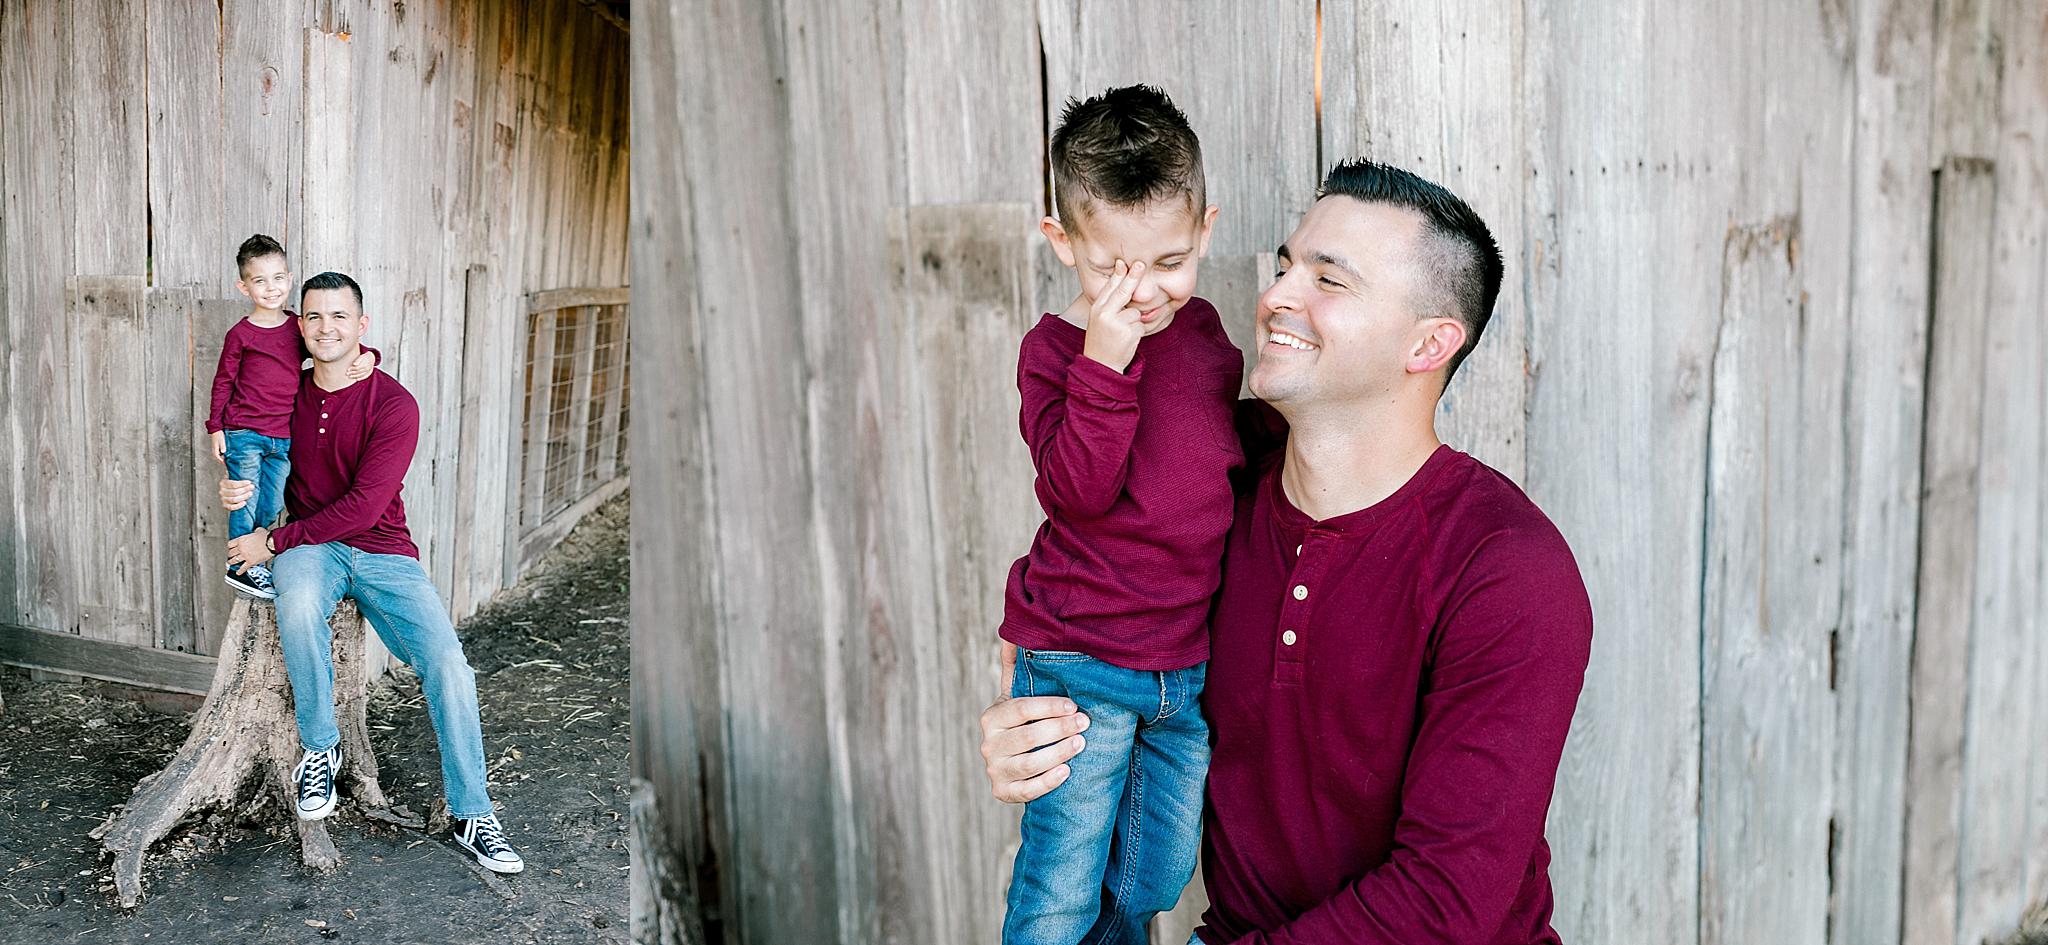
(1773, 550)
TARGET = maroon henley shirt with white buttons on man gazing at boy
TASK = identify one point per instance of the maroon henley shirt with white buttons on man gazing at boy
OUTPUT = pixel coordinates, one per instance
(1390, 694)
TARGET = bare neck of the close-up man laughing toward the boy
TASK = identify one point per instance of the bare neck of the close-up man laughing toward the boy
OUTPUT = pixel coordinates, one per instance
(1342, 462)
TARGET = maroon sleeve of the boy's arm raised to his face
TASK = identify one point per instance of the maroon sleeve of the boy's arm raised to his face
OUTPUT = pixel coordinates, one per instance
(1078, 421)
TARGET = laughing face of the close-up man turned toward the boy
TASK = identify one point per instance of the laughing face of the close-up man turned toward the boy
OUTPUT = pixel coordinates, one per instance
(1338, 323)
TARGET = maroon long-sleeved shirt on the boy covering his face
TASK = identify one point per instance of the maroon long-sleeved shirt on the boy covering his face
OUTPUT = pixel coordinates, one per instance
(1136, 485)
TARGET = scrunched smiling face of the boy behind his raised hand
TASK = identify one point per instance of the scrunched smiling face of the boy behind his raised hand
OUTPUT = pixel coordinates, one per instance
(1168, 237)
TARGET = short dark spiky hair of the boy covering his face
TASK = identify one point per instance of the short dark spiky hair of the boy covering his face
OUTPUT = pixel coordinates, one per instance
(1129, 149)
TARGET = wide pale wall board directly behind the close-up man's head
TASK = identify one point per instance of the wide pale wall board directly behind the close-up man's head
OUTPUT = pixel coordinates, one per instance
(1431, 89)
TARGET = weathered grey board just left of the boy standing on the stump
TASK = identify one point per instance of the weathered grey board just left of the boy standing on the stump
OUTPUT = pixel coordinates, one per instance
(169, 370)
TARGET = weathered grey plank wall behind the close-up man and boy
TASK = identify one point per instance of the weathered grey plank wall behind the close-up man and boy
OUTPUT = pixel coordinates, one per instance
(1770, 354)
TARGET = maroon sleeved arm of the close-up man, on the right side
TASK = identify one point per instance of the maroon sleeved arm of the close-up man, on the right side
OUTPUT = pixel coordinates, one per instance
(1502, 690)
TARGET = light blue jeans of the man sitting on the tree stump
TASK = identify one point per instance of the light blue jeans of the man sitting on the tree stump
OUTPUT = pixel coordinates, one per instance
(400, 602)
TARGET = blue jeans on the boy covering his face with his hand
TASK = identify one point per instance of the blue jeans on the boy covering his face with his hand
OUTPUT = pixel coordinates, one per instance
(1117, 841)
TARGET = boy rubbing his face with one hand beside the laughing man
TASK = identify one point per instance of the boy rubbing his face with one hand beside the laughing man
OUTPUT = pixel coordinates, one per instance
(1127, 411)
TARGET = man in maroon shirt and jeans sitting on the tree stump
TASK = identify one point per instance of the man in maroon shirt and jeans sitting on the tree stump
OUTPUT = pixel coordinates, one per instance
(351, 446)
